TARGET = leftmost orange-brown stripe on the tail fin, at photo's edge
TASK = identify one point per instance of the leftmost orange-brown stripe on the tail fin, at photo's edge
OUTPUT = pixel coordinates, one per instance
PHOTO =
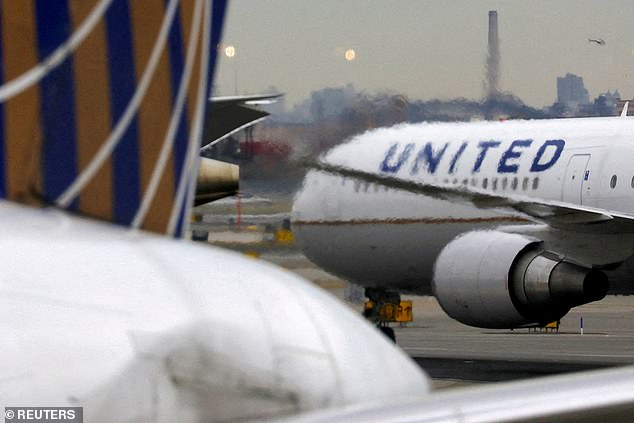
(22, 112)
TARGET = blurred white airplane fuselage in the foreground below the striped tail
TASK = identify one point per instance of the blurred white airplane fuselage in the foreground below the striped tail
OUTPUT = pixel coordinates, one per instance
(137, 327)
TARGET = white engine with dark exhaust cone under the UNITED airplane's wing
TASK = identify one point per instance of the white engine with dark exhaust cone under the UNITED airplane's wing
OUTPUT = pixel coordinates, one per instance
(498, 280)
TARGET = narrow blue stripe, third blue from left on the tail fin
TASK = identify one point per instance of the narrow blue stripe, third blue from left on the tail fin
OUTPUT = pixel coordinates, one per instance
(177, 64)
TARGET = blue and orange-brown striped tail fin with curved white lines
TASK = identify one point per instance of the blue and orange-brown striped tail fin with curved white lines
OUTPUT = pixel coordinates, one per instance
(102, 105)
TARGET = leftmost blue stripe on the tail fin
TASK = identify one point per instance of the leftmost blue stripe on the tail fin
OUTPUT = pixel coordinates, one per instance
(59, 150)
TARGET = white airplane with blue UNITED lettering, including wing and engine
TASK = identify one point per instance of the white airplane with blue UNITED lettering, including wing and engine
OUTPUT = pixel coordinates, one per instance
(508, 224)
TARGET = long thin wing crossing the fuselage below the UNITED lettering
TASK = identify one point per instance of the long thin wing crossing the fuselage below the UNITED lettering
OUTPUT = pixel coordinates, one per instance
(554, 213)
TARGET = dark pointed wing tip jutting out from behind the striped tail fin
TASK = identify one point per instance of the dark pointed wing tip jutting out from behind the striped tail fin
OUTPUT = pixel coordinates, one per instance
(228, 115)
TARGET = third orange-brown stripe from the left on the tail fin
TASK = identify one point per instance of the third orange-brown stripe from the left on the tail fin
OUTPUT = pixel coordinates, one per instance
(155, 111)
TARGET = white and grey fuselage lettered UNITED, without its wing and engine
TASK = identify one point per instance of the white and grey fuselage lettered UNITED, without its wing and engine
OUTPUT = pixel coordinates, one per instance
(376, 236)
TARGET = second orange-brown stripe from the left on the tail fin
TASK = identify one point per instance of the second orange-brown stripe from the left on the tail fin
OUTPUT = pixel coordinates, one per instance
(93, 112)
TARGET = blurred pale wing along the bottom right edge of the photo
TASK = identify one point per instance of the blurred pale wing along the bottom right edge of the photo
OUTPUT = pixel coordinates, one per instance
(603, 395)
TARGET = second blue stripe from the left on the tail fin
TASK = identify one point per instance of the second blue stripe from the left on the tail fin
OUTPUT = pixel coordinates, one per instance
(122, 79)
